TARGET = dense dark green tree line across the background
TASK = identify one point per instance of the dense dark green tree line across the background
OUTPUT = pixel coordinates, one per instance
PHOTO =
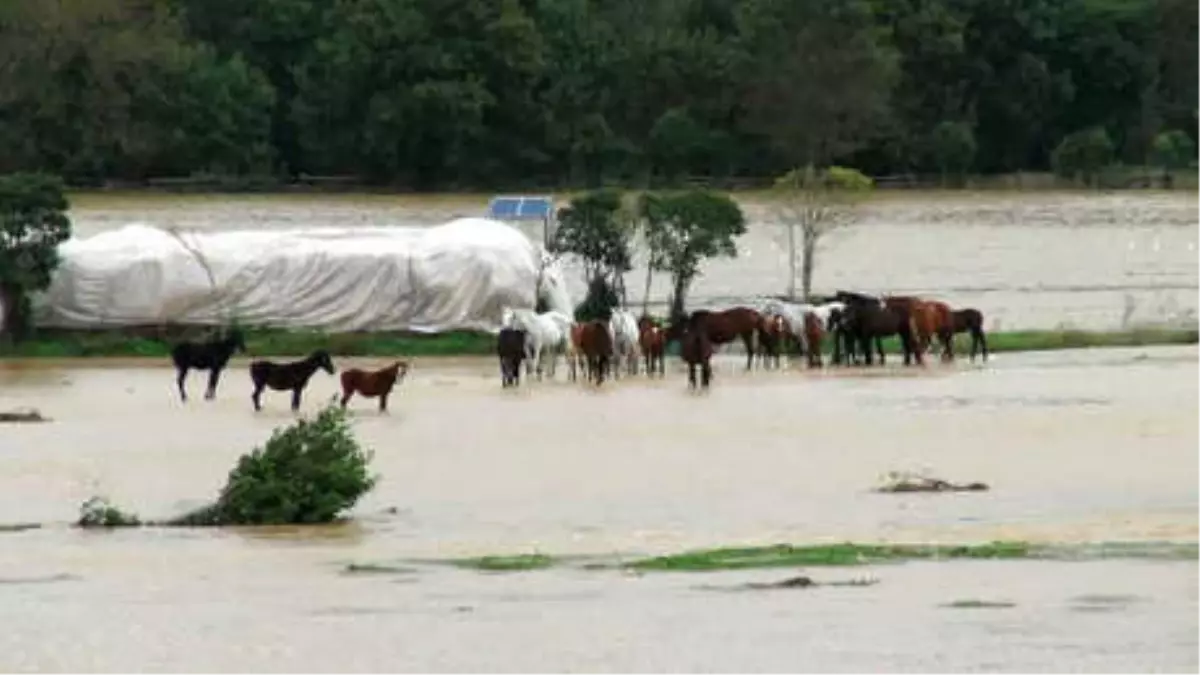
(454, 93)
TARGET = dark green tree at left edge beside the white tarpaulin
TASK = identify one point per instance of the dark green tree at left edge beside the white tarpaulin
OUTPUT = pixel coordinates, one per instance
(33, 224)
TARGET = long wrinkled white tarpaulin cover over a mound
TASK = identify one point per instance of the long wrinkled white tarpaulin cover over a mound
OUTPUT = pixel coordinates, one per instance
(459, 276)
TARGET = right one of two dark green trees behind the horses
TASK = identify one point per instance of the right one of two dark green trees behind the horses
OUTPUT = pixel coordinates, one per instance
(686, 229)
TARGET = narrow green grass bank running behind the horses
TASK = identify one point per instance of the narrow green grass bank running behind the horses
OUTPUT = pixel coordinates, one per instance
(279, 343)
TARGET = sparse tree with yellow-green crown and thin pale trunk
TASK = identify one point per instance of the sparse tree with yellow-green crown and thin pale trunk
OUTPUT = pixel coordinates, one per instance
(815, 204)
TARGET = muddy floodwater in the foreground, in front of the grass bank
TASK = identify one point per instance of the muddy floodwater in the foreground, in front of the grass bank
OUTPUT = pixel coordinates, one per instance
(1078, 447)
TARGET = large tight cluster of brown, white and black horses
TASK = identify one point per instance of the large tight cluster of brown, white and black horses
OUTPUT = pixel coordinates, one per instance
(855, 324)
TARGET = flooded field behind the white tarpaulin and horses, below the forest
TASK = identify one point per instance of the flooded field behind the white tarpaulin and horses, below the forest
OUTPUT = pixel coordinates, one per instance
(1030, 261)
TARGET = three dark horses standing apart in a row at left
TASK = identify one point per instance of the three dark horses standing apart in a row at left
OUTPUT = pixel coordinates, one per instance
(214, 356)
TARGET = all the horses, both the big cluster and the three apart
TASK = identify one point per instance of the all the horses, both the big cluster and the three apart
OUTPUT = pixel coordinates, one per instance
(856, 325)
